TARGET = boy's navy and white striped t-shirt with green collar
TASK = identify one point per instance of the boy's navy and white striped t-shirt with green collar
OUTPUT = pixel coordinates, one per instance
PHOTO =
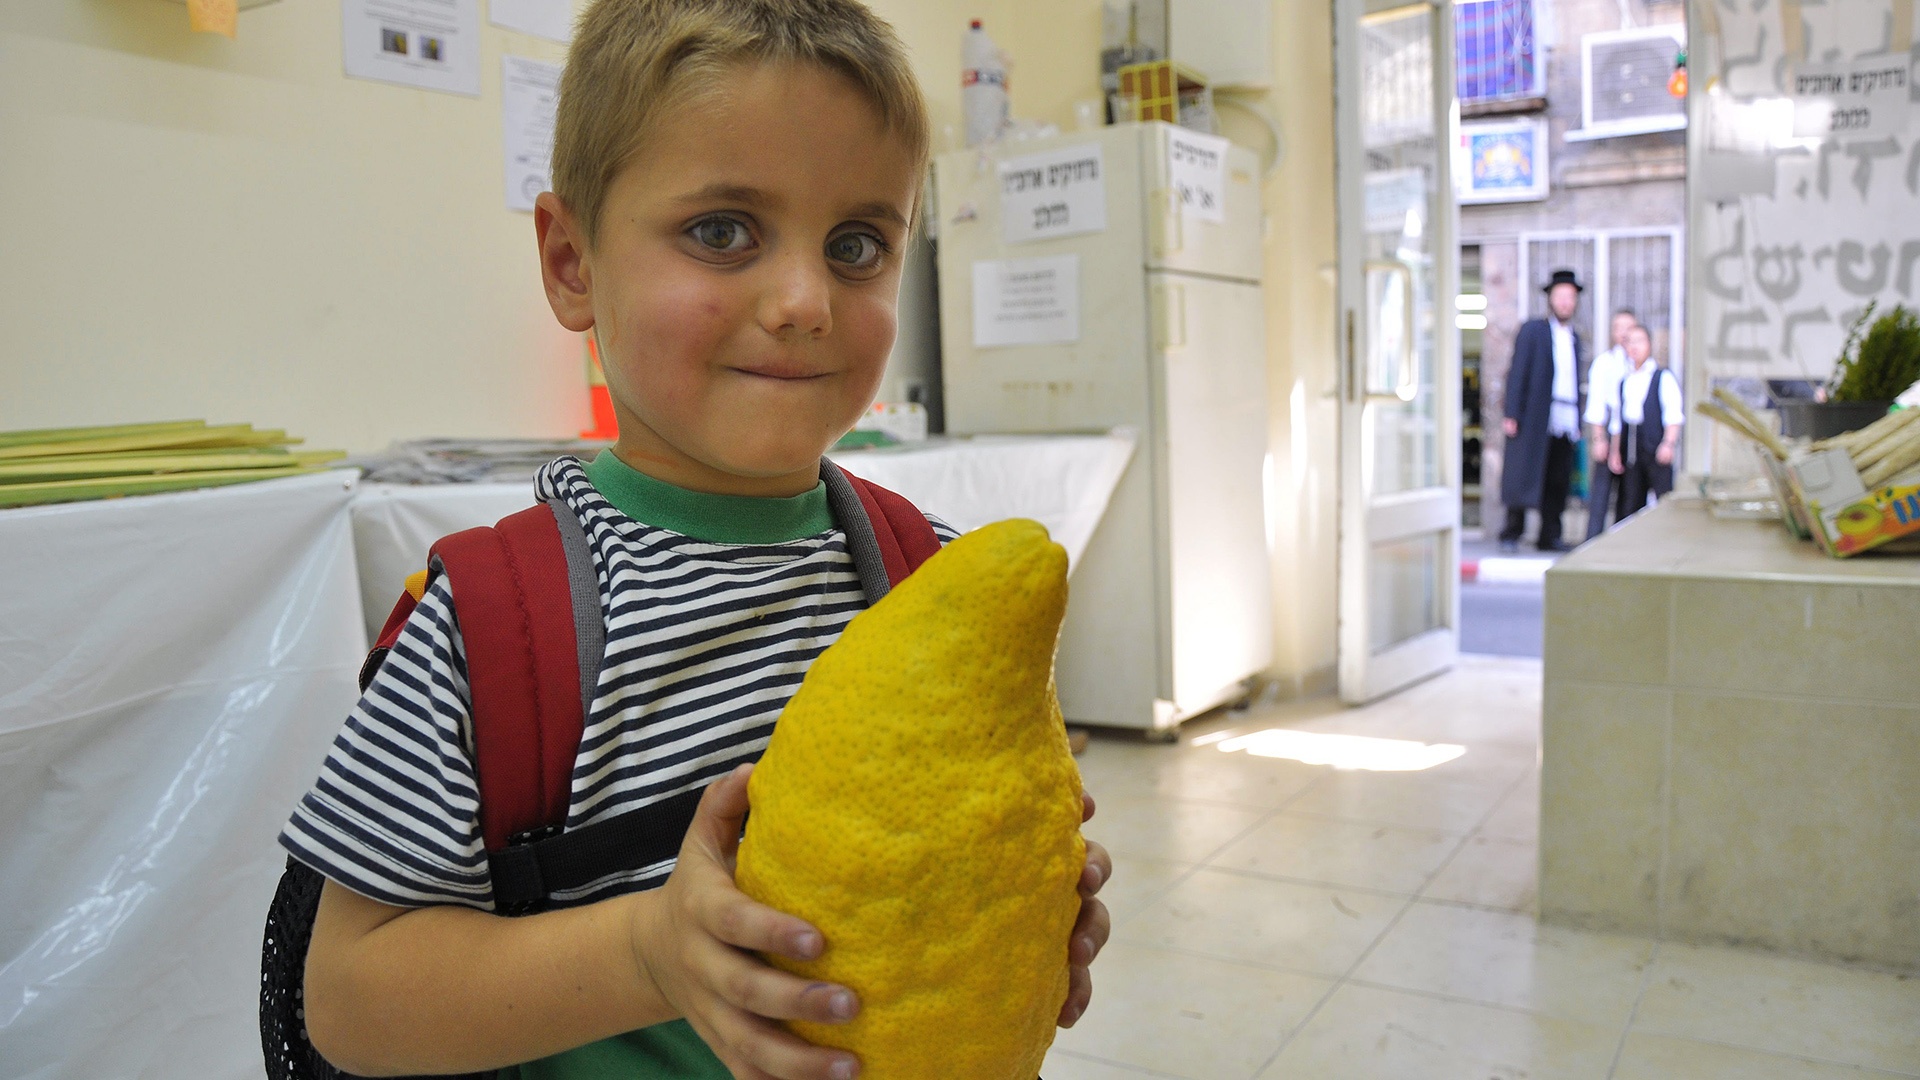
(709, 633)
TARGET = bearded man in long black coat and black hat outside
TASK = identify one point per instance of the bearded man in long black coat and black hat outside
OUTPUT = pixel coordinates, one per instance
(1543, 418)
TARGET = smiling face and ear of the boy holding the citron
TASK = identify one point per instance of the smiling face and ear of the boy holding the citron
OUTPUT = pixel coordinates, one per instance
(746, 278)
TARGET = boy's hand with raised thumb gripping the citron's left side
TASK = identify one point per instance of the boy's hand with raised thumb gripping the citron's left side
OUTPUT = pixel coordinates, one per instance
(696, 946)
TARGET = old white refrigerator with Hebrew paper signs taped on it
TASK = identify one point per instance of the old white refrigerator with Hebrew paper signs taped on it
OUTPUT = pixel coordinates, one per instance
(1113, 280)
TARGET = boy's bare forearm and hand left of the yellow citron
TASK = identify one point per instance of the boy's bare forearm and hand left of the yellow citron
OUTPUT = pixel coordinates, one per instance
(396, 991)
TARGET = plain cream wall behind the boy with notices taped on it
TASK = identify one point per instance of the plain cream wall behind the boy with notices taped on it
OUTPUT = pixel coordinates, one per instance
(197, 228)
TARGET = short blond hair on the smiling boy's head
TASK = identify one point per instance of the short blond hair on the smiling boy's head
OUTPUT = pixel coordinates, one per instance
(636, 59)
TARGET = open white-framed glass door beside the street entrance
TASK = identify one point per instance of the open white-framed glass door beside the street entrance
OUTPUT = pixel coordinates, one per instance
(1401, 349)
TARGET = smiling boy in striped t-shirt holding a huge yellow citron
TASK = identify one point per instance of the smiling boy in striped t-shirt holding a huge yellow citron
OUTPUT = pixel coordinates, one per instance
(734, 185)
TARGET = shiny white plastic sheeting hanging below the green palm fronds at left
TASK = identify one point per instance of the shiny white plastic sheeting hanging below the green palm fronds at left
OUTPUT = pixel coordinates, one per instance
(172, 672)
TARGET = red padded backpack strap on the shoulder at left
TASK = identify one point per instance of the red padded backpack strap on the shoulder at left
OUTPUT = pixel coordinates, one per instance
(514, 599)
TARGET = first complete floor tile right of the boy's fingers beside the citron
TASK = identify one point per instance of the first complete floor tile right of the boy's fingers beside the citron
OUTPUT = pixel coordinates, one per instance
(1239, 918)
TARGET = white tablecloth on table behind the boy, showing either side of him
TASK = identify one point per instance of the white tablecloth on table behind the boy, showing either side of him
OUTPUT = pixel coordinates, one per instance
(1063, 481)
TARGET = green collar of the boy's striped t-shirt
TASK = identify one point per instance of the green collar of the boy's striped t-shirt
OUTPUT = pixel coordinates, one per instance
(715, 520)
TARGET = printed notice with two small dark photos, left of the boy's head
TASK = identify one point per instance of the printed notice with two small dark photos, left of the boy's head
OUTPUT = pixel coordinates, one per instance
(433, 45)
